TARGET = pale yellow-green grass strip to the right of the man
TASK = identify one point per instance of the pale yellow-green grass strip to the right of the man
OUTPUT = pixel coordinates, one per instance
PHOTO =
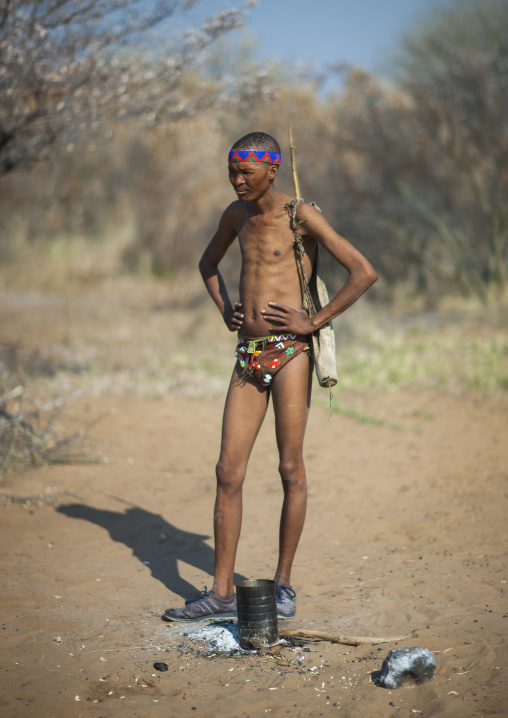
(453, 351)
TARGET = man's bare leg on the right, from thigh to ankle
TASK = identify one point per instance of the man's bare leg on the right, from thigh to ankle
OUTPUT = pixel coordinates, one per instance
(291, 392)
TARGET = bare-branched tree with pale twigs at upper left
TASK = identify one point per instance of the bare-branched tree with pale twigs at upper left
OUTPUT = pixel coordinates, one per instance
(66, 66)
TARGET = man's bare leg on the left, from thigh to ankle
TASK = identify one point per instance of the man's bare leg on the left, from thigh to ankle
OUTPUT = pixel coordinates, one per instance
(244, 411)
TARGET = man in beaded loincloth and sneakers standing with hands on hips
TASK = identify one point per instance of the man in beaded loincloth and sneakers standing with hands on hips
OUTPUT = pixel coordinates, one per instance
(273, 356)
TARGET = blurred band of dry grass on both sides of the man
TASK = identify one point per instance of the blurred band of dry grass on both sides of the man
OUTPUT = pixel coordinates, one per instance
(70, 321)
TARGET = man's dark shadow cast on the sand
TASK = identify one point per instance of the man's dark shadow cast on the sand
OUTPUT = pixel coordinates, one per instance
(155, 542)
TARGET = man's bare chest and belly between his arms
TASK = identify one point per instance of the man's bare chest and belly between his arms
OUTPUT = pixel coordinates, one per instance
(270, 269)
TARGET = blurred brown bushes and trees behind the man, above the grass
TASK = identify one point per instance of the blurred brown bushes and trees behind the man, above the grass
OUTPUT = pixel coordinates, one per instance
(130, 161)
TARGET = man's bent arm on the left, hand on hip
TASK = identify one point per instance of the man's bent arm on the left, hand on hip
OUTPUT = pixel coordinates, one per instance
(209, 268)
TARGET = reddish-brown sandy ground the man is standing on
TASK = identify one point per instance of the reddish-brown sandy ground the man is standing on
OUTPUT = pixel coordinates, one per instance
(406, 531)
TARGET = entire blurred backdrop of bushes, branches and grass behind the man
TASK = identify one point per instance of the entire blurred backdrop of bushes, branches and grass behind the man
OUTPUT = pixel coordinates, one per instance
(113, 146)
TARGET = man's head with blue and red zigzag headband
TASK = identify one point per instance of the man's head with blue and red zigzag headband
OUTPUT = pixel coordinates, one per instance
(253, 164)
